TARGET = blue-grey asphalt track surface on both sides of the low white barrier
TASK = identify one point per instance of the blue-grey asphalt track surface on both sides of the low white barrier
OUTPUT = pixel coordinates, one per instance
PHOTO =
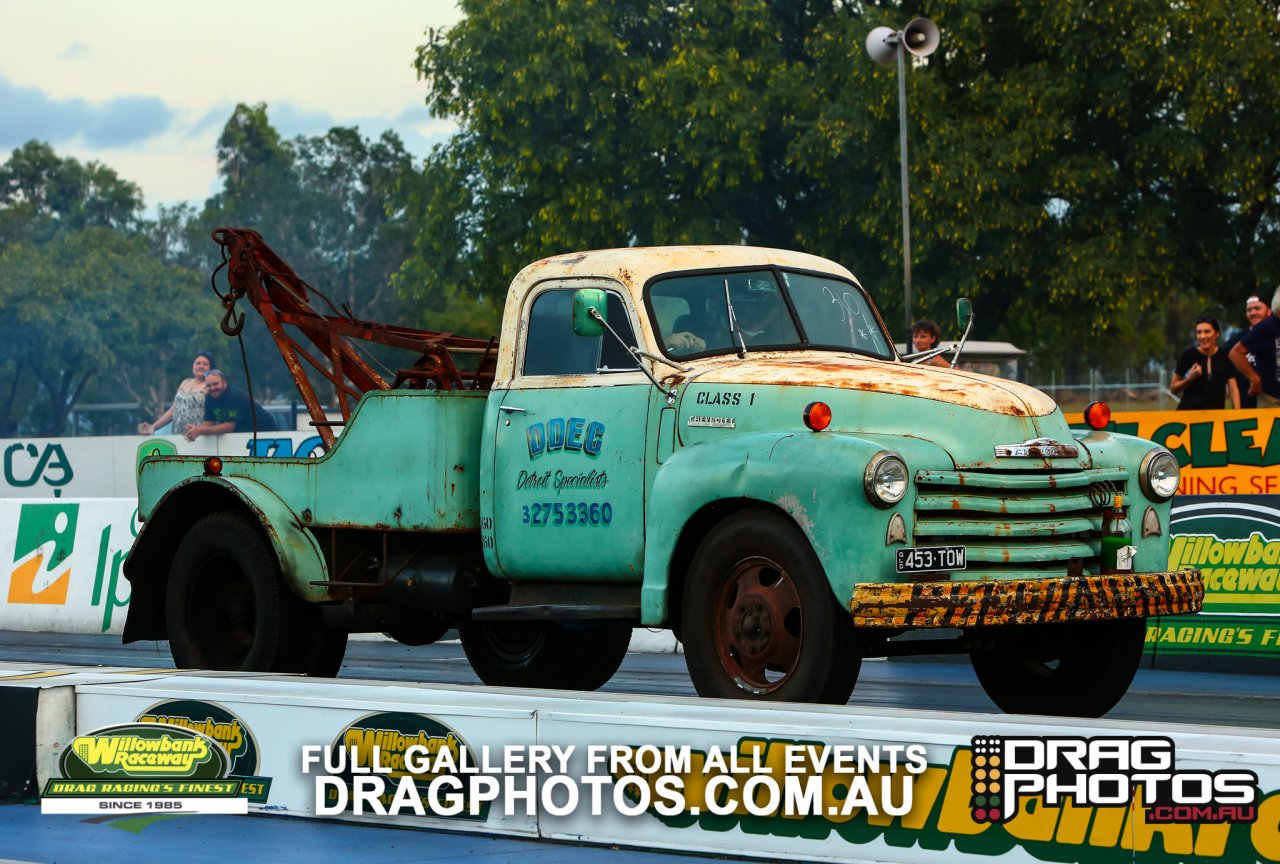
(1163, 697)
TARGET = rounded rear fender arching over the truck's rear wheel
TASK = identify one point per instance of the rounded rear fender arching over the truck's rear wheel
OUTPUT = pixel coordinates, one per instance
(152, 556)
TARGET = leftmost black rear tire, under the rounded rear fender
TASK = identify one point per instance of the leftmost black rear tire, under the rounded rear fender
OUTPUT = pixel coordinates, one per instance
(225, 607)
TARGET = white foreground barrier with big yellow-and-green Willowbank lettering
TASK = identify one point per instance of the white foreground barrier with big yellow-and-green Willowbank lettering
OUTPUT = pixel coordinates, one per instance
(755, 781)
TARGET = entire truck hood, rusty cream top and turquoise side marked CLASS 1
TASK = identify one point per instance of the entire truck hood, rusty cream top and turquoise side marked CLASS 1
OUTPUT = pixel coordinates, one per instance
(963, 413)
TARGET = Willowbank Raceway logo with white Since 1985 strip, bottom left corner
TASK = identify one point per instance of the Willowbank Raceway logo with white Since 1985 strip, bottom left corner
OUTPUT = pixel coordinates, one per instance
(144, 769)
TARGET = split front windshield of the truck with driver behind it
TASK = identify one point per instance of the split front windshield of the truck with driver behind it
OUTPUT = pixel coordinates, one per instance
(772, 310)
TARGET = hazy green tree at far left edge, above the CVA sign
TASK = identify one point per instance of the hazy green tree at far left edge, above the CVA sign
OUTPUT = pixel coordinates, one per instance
(89, 307)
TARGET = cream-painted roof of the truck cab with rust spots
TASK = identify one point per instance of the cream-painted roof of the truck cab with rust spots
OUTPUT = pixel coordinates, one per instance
(634, 267)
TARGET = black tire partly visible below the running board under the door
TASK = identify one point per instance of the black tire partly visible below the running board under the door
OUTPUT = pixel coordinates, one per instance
(552, 655)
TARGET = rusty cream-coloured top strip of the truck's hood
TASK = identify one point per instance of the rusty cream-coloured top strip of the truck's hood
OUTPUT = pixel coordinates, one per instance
(950, 386)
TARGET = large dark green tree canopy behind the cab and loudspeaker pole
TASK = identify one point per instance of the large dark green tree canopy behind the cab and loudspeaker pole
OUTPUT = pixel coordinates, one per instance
(1073, 164)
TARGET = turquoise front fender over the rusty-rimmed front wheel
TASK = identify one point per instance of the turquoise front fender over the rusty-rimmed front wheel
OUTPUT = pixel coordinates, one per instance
(813, 478)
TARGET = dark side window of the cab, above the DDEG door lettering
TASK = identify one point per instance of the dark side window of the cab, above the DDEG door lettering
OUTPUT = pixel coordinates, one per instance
(554, 349)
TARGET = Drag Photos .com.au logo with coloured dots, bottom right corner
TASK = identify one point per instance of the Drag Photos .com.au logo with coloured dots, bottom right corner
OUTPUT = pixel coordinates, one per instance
(1105, 772)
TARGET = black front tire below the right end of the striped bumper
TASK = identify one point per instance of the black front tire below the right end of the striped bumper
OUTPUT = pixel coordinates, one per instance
(1069, 670)
